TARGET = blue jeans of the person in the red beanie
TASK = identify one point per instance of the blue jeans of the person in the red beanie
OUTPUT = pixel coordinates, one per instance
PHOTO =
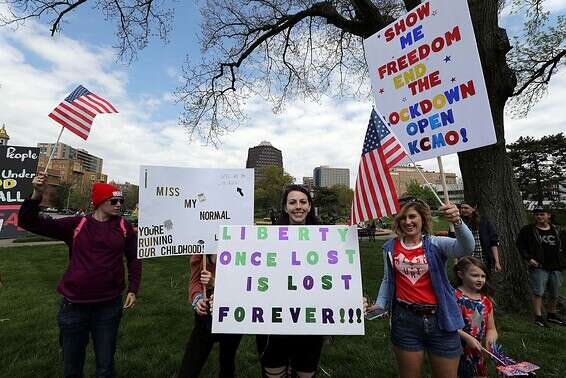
(79, 320)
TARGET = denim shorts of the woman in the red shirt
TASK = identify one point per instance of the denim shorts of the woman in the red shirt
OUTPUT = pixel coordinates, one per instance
(414, 333)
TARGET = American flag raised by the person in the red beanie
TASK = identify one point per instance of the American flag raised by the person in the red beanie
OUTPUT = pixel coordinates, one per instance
(77, 111)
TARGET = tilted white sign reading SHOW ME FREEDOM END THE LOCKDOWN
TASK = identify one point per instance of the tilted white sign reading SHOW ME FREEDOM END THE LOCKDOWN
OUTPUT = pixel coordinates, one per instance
(427, 80)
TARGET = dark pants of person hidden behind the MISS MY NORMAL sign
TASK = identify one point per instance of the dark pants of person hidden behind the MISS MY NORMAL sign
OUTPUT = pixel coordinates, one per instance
(199, 346)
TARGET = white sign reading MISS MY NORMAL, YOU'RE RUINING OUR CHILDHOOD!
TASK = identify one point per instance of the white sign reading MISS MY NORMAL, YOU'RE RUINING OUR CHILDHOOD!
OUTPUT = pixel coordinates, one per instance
(180, 209)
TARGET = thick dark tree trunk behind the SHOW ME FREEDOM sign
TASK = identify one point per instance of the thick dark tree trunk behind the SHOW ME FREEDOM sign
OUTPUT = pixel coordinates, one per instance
(487, 173)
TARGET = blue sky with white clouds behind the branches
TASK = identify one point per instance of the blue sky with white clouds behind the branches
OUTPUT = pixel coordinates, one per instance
(37, 71)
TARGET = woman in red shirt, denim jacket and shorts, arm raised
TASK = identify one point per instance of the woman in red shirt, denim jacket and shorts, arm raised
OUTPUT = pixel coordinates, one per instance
(424, 312)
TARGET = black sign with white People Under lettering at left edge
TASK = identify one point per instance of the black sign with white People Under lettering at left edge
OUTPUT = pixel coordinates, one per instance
(18, 168)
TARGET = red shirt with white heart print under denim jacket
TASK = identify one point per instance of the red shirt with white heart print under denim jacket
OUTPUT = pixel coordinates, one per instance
(412, 278)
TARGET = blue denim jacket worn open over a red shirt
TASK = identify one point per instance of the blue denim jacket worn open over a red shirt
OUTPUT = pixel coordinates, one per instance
(437, 250)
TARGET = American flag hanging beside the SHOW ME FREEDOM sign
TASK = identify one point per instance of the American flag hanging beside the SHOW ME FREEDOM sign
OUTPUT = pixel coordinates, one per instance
(374, 194)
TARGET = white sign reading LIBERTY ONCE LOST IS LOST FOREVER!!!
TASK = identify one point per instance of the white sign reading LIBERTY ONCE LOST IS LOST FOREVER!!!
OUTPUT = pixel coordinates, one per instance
(292, 280)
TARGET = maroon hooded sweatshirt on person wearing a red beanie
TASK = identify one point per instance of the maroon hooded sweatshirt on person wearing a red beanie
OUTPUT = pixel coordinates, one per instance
(96, 256)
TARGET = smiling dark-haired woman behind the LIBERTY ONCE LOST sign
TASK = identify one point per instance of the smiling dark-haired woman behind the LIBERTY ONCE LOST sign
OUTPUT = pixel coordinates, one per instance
(278, 353)
